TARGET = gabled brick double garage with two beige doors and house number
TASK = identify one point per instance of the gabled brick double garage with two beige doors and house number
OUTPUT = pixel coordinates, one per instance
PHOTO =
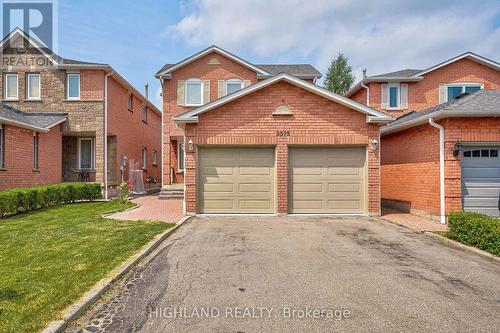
(282, 145)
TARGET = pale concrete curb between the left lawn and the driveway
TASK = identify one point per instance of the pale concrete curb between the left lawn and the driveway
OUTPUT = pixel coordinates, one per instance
(90, 297)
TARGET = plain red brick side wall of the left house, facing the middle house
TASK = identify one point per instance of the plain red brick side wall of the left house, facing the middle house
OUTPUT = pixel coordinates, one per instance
(131, 133)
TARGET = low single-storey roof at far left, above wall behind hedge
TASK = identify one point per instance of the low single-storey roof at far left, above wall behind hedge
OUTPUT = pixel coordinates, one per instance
(37, 121)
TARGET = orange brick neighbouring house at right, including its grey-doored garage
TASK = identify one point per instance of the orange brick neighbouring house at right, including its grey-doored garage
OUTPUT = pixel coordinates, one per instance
(441, 153)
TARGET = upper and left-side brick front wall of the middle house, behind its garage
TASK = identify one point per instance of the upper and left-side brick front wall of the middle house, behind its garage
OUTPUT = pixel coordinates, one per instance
(201, 69)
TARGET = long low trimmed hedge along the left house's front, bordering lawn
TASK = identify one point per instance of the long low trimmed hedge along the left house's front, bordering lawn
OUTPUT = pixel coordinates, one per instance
(25, 199)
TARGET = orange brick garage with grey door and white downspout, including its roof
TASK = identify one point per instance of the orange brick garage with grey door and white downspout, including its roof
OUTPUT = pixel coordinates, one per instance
(445, 158)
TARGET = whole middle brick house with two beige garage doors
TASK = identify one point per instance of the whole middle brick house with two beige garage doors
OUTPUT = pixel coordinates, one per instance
(266, 139)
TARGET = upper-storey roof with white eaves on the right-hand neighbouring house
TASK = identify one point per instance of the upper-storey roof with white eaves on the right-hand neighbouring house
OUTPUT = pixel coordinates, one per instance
(413, 75)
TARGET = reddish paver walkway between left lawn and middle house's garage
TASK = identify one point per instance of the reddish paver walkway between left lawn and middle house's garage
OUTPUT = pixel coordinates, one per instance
(152, 208)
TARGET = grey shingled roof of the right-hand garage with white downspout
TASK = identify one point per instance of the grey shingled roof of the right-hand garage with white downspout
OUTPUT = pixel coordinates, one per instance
(483, 103)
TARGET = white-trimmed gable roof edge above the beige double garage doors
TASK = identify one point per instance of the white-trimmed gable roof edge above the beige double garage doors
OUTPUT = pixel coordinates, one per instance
(372, 115)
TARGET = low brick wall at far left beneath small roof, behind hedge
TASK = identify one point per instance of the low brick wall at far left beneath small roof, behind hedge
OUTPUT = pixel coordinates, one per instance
(18, 170)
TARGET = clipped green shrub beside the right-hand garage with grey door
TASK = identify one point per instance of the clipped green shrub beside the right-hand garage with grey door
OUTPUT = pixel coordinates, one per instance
(475, 229)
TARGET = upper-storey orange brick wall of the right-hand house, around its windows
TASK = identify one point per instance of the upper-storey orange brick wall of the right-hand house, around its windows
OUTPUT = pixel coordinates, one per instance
(425, 94)
